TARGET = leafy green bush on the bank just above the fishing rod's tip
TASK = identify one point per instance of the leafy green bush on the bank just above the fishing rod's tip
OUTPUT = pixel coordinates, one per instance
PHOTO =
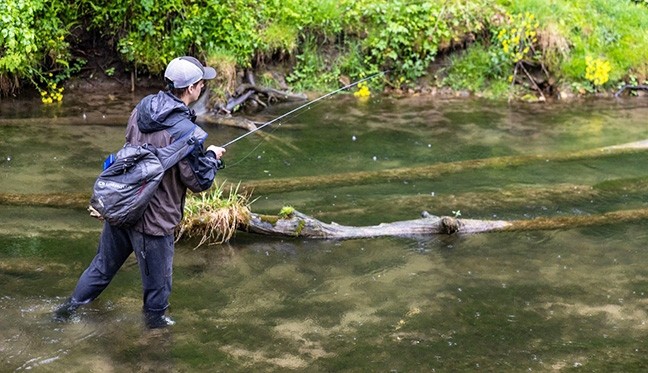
(405, 37)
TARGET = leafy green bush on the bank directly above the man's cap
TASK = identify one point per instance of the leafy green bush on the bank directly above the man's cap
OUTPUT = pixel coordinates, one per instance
(158, 31)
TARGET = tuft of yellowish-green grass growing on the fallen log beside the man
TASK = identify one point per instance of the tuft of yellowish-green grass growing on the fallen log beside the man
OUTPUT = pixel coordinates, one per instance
(214, 217)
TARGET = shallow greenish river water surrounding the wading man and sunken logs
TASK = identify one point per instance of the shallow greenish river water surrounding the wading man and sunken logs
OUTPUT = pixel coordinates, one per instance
(567, 299)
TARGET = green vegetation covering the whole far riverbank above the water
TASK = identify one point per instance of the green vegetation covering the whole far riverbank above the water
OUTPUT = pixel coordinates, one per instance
(494, 47)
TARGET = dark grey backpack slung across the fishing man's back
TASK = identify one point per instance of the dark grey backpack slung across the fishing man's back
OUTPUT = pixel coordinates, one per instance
(125, 187)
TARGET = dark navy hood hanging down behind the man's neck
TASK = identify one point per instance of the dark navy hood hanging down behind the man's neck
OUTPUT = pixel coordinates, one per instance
(160, 111)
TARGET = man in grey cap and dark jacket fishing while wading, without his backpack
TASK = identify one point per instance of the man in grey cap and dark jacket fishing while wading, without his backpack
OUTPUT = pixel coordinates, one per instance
(158, 120)
